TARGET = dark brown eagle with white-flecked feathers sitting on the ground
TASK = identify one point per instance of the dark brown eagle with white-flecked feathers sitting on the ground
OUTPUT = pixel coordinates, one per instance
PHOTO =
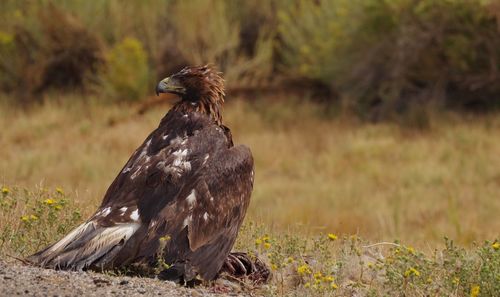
(181, 197)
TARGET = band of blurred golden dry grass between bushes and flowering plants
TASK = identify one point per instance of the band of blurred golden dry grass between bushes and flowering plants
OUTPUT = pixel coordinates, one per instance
(377, 181)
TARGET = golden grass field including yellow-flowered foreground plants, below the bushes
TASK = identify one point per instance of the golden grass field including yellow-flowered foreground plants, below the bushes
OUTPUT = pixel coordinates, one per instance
(324, 187)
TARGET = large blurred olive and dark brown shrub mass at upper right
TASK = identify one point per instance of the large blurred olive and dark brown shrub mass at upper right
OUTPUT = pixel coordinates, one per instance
(388, 57)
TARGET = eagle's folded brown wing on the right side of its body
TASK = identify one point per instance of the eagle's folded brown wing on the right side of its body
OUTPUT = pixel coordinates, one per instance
(203, 222)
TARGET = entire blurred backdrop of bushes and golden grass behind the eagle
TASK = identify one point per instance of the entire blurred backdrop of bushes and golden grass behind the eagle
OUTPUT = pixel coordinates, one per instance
(377, 117)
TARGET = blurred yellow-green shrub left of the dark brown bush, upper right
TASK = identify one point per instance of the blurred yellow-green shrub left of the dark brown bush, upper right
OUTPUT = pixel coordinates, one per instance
(314, 36)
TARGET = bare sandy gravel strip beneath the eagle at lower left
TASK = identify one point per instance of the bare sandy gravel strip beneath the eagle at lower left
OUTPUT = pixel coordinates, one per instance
(20, 280)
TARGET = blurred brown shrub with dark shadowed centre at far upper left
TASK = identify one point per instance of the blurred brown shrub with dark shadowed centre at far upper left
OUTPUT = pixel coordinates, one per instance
(52, 50)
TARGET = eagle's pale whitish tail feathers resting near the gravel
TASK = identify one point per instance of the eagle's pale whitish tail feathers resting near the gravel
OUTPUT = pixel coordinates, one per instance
(86, 246)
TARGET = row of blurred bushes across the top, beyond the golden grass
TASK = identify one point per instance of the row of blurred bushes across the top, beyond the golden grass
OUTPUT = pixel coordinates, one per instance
(381, 58)
